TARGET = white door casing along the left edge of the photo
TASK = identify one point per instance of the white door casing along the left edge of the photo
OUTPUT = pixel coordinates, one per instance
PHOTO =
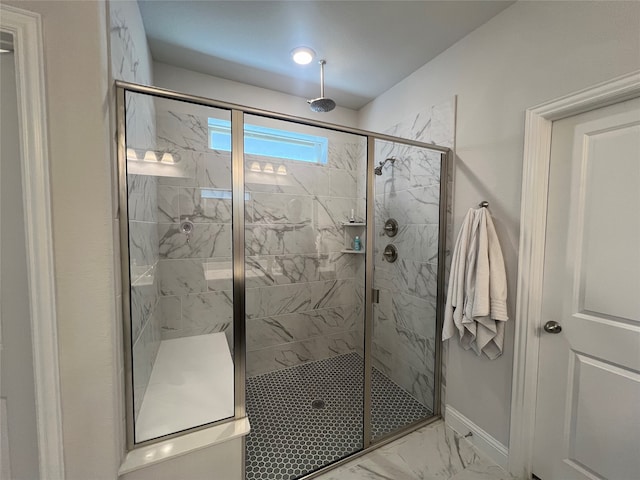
(26, 28)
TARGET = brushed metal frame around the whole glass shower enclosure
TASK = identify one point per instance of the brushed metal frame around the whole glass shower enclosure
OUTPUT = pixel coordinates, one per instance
(238, 257)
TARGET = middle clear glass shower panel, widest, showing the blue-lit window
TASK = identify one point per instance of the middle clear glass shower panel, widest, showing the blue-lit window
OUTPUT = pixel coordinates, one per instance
(304, 296)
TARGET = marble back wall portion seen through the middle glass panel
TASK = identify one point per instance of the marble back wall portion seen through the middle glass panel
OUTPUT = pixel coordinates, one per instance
(304, 295)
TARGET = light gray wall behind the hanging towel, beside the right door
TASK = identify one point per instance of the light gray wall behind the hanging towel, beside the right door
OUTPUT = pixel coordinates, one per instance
(529, 53)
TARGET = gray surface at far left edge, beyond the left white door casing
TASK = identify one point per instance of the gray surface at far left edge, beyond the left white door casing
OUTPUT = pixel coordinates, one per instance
(17, 388)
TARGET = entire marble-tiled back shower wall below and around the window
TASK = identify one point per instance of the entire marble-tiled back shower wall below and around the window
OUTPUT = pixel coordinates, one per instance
(301, 298)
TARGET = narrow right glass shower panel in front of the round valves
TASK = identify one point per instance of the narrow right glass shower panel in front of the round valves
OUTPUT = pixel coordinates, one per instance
(406, 240)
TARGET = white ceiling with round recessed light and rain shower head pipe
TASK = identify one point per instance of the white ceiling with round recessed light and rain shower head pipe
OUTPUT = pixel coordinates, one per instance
(369, 46)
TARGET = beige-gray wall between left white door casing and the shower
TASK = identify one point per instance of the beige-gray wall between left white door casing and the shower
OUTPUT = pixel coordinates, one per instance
(82, 202)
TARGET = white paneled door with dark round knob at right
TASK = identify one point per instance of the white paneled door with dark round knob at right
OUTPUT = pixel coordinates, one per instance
(588, 405)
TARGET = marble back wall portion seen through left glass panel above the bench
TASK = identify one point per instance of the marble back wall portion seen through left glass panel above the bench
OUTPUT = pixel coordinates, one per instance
(195, 269)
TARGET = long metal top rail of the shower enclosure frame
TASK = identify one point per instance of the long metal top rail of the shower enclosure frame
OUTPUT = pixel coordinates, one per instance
(173, 95)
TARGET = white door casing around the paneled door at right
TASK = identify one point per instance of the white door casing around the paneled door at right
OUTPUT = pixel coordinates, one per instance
(533, 219)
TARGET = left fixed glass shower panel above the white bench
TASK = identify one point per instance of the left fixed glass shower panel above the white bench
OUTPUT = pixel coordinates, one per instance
(177, 266)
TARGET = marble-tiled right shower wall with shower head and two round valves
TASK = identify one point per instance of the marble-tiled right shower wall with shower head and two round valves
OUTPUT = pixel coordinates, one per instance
(408, 191)
